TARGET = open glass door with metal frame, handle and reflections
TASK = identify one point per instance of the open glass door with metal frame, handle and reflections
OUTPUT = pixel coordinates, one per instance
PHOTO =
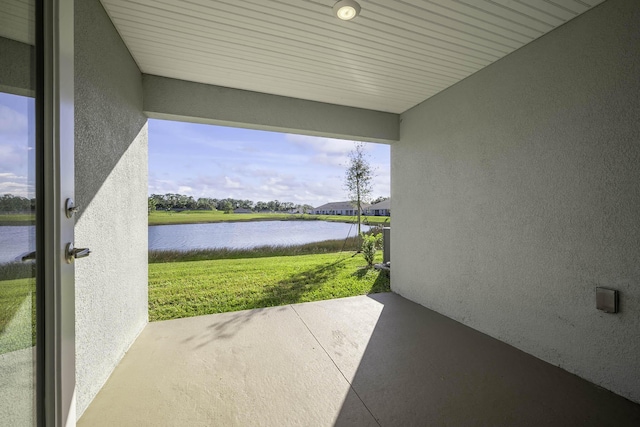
(37, 311)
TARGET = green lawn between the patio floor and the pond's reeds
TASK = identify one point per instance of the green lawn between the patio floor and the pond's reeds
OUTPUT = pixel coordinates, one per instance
(184, 289)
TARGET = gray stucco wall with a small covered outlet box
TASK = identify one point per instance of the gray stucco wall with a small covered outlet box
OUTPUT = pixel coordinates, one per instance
(517, 191)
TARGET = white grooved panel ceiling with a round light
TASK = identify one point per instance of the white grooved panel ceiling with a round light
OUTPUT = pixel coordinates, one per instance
(393, 56)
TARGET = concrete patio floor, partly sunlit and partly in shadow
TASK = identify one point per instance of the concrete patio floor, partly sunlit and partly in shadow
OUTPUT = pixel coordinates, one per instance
(362, 361)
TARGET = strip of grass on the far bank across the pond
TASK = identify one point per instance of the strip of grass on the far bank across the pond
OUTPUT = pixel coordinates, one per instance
(200, 217)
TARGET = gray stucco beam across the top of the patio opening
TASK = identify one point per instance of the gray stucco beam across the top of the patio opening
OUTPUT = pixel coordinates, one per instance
(173, 99)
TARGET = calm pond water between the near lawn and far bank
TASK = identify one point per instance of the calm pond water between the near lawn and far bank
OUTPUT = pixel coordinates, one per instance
(240, 235)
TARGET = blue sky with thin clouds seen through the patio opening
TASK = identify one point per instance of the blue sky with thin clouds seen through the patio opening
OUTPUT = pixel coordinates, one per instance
(219, 162)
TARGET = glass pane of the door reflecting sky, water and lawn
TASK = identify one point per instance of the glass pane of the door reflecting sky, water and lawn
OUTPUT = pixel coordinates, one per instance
(18, 151)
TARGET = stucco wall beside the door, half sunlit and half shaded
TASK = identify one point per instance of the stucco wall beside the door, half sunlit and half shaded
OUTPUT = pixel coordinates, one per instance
(111, 190)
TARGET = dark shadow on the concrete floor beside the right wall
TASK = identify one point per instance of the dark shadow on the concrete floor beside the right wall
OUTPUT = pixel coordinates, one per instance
(423, 369)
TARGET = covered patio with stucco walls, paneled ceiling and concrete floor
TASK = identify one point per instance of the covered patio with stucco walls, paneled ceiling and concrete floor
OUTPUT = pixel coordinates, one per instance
(515, 159)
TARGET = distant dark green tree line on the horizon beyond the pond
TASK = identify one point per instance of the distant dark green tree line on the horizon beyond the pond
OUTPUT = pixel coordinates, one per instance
(174, 201)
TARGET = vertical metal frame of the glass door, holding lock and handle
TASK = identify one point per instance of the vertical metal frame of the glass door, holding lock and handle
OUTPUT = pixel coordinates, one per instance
(56, 311)
